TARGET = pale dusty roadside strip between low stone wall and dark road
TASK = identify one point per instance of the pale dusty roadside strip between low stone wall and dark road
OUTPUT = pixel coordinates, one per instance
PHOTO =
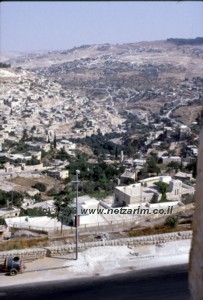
(101, 261)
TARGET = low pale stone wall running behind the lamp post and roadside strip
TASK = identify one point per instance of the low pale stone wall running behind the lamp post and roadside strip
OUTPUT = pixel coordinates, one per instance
(63, 250)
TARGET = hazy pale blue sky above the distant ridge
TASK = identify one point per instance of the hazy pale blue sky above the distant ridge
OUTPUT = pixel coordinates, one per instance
(27, 26)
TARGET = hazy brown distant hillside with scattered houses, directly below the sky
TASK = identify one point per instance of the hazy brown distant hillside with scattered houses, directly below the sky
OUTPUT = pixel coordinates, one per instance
(145, 78)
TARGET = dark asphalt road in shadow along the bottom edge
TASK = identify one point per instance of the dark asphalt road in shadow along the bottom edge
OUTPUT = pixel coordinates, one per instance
(155, 284)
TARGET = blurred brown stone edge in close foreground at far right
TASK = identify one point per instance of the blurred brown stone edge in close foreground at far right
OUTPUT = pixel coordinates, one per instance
(196, 253)
